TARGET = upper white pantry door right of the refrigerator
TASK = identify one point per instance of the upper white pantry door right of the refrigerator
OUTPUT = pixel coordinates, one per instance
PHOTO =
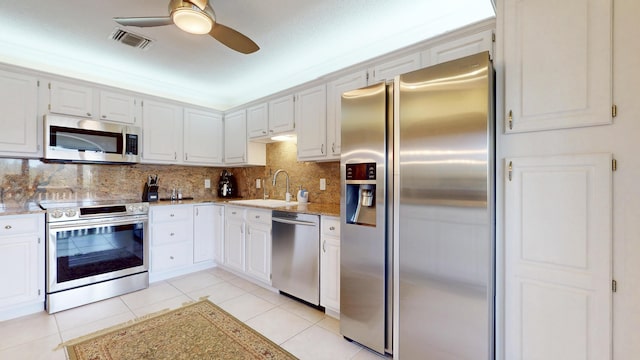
(558, 64)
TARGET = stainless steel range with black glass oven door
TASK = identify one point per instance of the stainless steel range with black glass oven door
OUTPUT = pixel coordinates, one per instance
(95, 250)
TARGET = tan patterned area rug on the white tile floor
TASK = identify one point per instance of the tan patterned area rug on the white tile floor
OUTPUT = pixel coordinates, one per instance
(200, 330)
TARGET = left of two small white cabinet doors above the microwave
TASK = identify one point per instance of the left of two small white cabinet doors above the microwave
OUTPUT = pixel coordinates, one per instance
(70, 99)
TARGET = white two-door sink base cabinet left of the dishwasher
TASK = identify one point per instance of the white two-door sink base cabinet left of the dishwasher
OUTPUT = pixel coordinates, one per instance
(247, 242)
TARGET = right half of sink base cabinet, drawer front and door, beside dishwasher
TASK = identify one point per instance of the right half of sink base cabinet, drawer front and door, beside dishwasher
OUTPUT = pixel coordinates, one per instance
(258, 244)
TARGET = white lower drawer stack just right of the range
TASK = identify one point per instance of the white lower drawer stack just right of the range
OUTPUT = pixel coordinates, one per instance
(171, 238)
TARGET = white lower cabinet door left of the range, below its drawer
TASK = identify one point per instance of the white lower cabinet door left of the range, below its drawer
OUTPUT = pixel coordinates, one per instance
(19, 269)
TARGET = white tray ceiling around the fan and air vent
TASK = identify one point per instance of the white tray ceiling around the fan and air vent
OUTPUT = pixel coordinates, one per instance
(300, 40)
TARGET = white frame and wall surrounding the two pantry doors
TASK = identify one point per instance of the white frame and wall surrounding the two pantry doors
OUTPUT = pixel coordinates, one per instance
(622, 138)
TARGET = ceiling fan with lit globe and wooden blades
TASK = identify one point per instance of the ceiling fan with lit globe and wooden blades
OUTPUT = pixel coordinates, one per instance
(195, 17)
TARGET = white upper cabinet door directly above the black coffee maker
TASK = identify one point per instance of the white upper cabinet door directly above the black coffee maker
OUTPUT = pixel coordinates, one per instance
(235, 136)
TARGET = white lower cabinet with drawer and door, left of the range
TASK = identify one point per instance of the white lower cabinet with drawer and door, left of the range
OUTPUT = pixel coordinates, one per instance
(21, 265)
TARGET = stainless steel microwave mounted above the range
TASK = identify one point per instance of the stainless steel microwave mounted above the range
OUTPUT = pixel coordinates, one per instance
(90, 141)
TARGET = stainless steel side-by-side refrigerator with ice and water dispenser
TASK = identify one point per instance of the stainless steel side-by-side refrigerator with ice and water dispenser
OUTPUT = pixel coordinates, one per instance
(418, 213)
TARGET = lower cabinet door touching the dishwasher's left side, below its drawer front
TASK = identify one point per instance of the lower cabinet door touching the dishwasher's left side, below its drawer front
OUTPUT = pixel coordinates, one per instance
(258, 255)
